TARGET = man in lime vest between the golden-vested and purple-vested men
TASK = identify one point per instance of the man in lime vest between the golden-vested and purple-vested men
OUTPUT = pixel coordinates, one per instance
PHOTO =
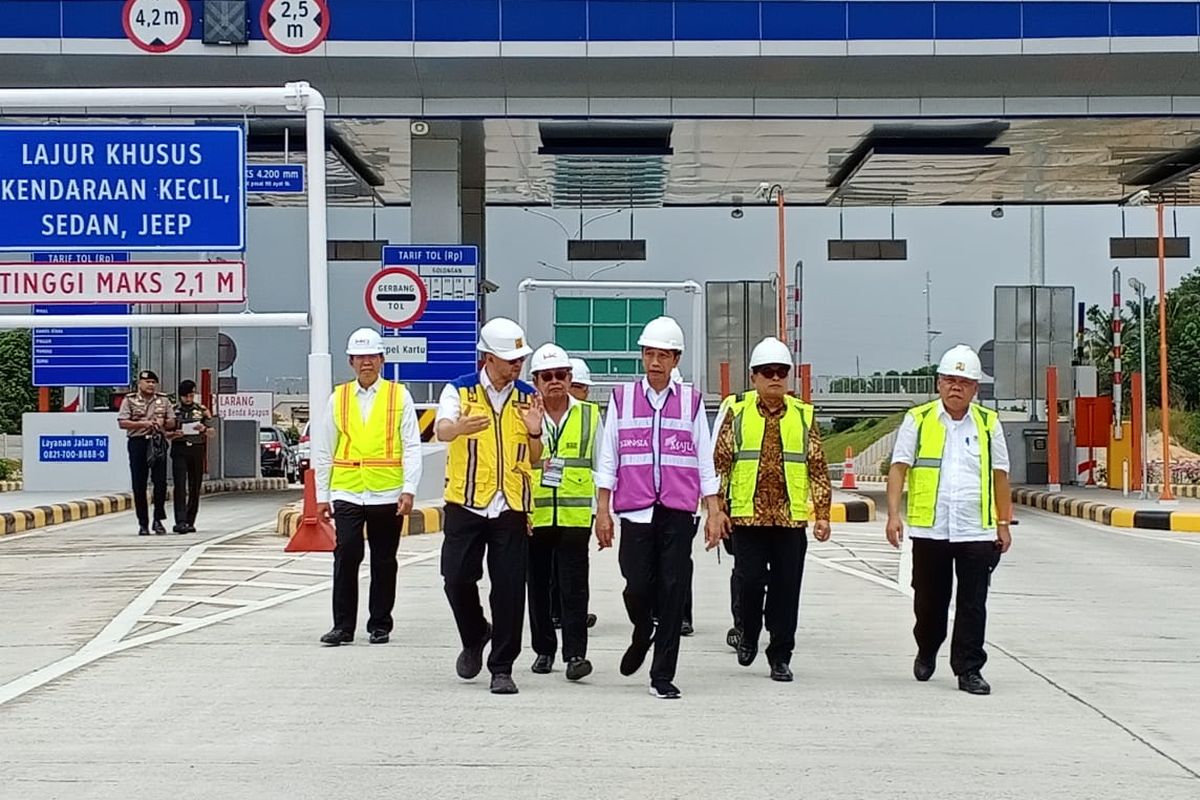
(563, 496)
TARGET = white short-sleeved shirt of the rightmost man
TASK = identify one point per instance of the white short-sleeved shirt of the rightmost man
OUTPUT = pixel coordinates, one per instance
(957, 514)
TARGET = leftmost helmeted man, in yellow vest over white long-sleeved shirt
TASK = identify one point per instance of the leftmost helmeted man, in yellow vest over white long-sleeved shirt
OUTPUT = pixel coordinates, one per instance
(368, 466)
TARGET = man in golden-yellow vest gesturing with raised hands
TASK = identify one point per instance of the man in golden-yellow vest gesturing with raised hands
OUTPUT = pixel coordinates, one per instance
(494, 425)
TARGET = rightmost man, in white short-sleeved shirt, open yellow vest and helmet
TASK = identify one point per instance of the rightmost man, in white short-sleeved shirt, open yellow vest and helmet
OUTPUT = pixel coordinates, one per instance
(955, 458)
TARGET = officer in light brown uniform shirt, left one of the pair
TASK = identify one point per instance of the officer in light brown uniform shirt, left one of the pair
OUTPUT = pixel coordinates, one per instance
(147, 417)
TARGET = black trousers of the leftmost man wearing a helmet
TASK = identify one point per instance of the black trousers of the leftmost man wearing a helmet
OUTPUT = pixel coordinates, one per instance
(383, 528)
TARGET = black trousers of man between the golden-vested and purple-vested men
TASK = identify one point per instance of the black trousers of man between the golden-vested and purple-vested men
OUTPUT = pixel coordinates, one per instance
(566, 549)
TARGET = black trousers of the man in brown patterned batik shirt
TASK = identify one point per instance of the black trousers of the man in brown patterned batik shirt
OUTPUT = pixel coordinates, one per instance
(771, 561)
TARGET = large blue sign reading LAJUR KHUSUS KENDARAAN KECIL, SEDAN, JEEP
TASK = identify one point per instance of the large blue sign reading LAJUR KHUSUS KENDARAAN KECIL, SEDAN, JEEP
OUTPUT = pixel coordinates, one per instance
(133, 189)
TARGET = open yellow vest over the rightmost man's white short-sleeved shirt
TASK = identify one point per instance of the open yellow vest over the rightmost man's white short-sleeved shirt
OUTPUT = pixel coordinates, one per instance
(927, 468)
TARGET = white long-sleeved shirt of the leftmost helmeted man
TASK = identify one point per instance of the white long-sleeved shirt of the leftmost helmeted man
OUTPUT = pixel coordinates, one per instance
(410, 434)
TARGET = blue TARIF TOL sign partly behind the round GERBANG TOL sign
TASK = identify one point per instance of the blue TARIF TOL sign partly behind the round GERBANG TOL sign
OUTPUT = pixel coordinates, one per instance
(441, 345)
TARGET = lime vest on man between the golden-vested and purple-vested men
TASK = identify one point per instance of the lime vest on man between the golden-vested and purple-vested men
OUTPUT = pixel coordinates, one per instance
(569, 504)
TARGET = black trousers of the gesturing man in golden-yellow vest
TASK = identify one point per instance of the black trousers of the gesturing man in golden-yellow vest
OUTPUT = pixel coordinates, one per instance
(505, 540)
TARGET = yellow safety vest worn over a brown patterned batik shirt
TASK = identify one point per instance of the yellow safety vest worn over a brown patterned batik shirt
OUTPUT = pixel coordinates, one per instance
(749, 429)
